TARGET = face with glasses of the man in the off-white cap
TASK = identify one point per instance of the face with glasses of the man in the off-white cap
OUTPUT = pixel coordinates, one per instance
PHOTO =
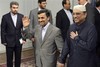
(79, 16)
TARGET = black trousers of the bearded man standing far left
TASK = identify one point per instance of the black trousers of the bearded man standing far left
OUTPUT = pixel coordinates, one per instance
(13, 52)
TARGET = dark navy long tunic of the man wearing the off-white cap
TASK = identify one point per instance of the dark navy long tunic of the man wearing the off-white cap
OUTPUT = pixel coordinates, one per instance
(81, 49)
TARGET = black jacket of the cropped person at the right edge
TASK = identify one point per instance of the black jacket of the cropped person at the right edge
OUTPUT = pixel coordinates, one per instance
(97, 25)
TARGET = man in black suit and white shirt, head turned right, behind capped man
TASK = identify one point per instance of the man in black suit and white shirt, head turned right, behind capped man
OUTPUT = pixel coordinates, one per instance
(64, 18)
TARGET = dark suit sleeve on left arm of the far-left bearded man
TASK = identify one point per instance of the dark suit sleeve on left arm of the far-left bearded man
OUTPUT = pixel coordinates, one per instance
(3, 30)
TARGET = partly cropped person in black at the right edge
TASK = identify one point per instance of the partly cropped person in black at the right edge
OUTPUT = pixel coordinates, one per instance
(97, 25)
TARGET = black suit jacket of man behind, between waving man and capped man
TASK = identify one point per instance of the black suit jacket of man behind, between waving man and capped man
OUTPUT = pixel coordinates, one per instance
(62, 22)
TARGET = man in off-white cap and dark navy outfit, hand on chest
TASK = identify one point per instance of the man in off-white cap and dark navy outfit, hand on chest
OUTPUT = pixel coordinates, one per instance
(80, 42)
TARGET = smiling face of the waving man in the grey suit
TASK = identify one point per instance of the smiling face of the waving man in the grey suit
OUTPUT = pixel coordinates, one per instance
(43, 19)
